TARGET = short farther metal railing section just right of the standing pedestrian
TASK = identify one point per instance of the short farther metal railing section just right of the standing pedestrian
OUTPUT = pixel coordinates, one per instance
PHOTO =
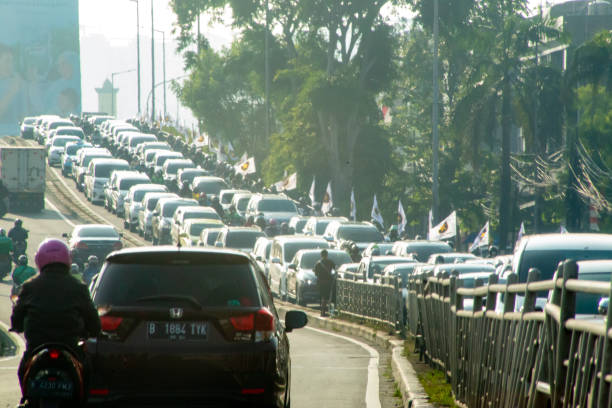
(379, 302)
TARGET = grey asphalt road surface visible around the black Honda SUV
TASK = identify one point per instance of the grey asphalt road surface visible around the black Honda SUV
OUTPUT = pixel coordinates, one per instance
(328, 370)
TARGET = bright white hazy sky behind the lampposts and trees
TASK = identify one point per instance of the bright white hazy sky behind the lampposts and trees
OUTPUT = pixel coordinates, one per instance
(108, 44)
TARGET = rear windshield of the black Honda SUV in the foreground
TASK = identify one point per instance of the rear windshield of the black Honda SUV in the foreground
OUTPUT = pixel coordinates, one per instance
(211, 281)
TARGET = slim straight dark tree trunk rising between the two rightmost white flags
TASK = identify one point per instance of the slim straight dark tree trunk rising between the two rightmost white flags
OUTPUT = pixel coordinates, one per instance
(505, 182)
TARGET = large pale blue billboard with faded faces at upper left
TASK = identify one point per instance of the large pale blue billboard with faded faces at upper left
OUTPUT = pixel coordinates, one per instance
(40, 69)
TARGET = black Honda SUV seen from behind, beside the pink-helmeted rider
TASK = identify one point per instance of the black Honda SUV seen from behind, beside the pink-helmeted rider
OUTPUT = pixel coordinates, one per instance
(189, 326)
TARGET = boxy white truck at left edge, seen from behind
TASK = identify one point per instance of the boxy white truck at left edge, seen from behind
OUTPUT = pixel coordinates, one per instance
(22, 172)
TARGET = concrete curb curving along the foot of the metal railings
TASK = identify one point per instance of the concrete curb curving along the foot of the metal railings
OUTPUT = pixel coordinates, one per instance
(413, 394)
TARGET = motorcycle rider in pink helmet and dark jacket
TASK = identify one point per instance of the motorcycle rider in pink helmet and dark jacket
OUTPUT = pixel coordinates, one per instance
(43, 319)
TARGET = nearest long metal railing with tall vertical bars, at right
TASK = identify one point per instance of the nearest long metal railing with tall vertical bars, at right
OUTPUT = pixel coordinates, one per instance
(496, 356)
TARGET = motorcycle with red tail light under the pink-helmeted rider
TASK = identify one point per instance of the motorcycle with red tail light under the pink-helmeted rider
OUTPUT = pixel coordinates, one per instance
(54, 378)
